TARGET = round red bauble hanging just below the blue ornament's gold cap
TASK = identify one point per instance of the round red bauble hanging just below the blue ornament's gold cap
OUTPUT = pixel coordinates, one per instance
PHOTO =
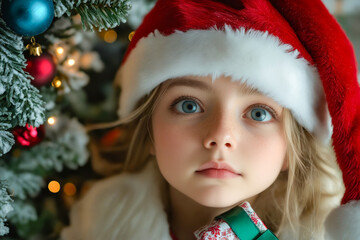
(42, 68)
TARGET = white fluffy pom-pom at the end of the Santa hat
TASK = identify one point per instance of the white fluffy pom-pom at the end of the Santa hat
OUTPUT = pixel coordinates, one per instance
(344, 222)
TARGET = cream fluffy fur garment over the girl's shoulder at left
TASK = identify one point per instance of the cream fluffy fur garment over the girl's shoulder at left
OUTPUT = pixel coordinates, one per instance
(126, 206)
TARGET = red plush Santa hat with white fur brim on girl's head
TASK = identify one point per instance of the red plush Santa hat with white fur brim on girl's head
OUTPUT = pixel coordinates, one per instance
(292, 51)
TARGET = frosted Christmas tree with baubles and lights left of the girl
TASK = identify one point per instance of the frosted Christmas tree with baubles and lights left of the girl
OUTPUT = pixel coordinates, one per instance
(44, 90)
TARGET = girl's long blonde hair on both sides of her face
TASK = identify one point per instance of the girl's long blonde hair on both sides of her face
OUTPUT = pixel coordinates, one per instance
(296, 204)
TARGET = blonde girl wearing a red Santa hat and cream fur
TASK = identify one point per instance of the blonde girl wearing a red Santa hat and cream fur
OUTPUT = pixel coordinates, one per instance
(232, 102)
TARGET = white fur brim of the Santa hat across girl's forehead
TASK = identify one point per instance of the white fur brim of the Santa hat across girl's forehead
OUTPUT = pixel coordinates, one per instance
(254, 57)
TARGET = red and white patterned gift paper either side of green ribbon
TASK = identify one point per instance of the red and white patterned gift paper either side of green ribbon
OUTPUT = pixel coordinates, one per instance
(220, 230)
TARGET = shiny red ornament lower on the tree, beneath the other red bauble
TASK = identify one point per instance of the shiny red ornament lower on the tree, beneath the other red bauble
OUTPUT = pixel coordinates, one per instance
(29, 136)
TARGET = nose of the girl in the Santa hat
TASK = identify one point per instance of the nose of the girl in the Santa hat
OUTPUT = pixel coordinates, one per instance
(220, 132)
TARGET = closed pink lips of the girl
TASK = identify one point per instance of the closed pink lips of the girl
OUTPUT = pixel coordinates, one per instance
(217, 170)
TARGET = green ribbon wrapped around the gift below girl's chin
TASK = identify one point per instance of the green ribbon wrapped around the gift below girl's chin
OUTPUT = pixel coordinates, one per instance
(242, 225)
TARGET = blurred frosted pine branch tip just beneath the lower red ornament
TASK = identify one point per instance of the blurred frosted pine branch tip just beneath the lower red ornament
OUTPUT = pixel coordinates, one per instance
(65, 146)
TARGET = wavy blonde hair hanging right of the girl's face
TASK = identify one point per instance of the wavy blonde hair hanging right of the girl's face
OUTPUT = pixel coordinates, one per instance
(299, 201)
